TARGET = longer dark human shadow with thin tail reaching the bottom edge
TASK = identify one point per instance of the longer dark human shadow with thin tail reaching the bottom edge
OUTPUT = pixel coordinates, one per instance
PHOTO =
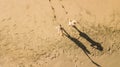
(81, 45)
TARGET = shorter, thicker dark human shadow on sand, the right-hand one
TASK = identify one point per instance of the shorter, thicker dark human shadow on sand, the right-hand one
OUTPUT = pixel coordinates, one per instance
(94, 44)
